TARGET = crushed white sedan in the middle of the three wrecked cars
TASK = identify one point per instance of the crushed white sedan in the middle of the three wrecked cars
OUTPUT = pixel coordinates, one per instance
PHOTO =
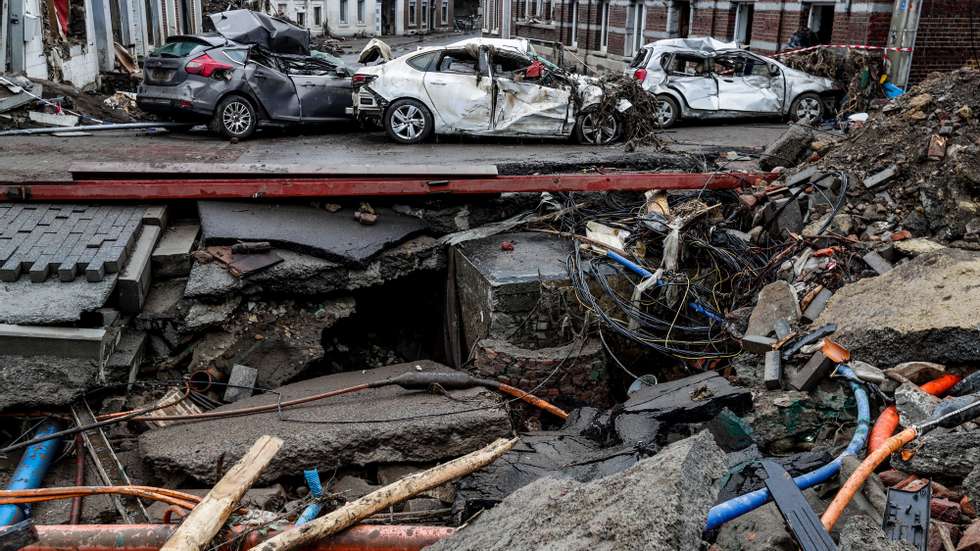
(485, 87)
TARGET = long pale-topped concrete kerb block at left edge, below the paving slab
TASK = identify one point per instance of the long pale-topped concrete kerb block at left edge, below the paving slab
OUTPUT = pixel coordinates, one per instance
(69, 342)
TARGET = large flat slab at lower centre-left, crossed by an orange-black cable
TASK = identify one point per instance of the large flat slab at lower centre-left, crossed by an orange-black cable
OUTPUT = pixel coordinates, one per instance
(383, 425)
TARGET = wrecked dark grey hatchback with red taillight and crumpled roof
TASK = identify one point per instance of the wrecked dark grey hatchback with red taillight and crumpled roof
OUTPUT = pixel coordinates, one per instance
(255, 70)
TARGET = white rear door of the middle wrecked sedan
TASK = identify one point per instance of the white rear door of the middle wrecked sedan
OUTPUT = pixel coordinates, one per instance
(460, 92)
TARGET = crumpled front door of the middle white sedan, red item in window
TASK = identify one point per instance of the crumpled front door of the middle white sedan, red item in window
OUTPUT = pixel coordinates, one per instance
(527, 102)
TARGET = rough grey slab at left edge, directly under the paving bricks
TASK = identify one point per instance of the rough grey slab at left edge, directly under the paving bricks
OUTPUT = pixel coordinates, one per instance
(52, 302)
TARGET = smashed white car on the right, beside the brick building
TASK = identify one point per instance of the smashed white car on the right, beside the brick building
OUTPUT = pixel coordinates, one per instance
(702, 78)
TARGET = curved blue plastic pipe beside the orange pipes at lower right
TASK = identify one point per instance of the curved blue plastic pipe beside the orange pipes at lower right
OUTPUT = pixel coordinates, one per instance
(738, 506)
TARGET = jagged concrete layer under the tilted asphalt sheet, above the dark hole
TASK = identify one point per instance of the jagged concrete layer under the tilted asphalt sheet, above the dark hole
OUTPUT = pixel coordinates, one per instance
(303, 275)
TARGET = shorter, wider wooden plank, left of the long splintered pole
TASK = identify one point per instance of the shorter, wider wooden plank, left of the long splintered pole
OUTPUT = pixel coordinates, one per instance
(204, 522)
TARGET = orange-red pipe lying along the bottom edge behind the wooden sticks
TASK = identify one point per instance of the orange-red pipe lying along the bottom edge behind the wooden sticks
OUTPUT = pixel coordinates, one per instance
(150, 537)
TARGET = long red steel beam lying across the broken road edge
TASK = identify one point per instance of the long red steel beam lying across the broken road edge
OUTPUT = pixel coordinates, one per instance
(184, 187)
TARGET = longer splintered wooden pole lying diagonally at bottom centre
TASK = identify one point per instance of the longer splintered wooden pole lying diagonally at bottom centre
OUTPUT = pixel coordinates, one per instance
(383, 498)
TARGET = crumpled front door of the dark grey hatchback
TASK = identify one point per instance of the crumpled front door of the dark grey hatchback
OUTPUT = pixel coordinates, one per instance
(324, 92)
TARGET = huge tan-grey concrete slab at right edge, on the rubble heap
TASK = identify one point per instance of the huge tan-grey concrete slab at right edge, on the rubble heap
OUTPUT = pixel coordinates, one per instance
(925, 308)
